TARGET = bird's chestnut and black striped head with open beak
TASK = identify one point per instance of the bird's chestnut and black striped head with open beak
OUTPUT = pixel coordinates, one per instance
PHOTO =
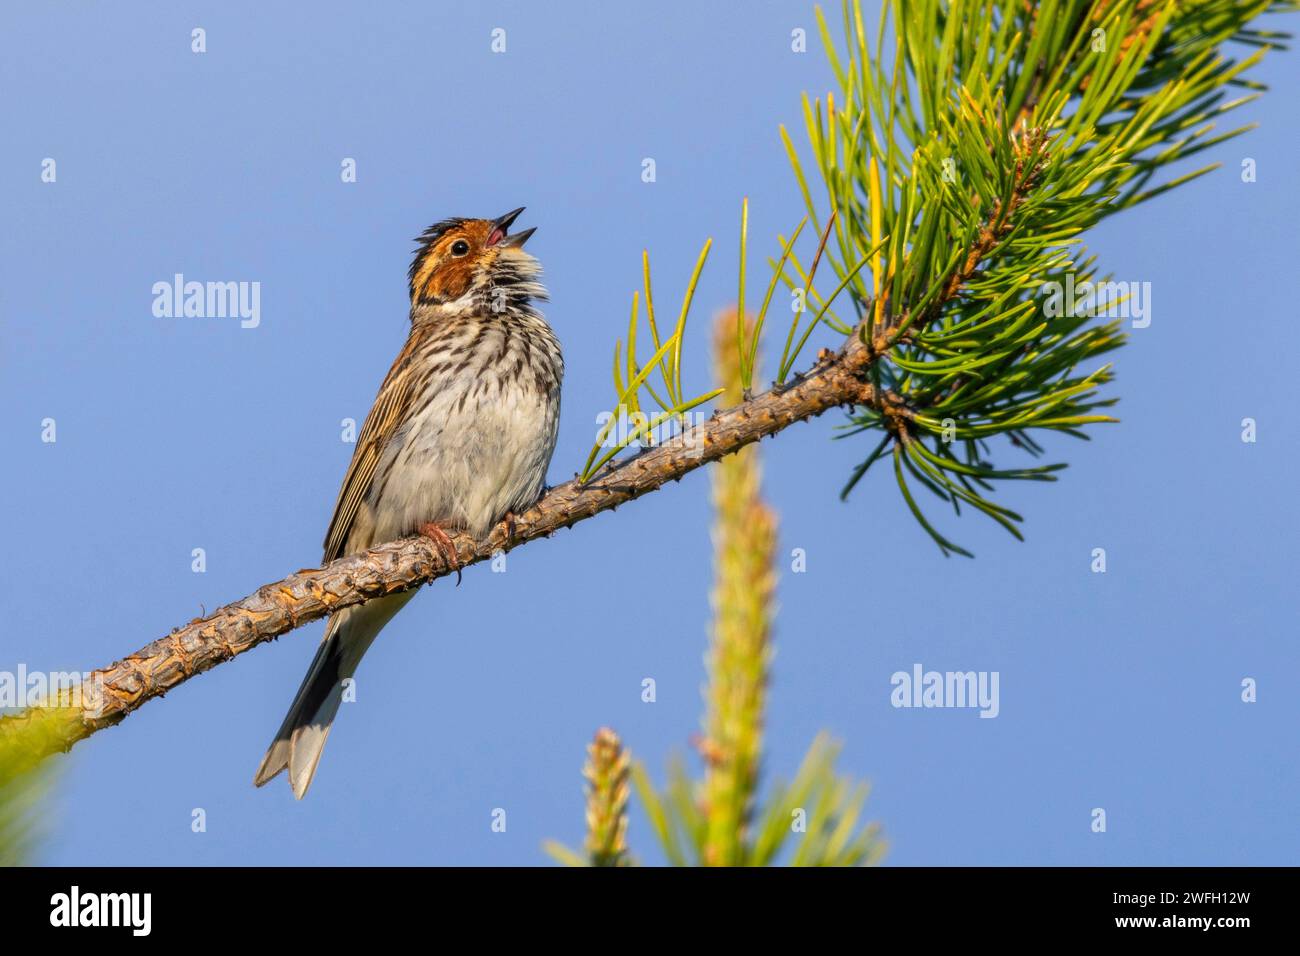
(475, 262)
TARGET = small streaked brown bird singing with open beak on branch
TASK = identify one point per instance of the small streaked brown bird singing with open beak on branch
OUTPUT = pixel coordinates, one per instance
(460, 438)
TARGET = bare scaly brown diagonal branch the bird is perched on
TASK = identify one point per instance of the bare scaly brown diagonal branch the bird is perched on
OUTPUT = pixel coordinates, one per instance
(275, 609)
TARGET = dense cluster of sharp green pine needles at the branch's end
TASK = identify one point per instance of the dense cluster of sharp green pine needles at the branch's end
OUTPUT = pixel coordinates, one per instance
(926, 146)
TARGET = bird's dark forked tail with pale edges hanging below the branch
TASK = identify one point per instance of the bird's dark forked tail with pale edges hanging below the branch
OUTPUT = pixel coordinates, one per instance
(302, 737)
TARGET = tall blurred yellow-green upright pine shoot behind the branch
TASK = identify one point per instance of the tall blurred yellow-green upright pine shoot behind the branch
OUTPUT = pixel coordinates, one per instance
(720, 820)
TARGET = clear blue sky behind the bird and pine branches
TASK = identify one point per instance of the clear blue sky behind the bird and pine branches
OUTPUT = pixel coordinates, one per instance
(1120, 691)
